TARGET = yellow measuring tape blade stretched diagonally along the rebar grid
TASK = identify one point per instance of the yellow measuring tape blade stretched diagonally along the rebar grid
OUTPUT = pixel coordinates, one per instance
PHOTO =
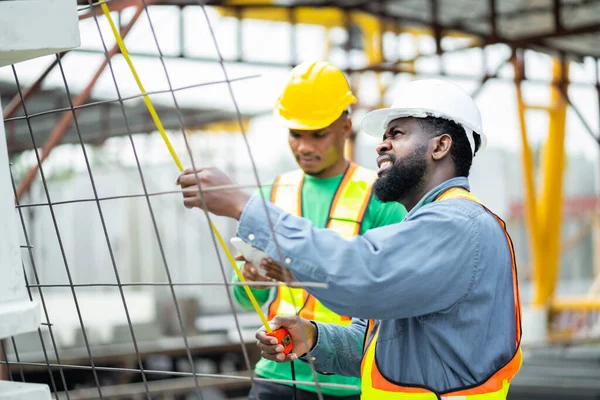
(161, 129)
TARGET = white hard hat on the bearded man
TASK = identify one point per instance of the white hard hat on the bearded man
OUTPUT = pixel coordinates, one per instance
(429, 98)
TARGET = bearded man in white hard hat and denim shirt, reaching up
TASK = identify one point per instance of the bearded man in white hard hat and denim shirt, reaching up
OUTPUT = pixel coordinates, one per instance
(435, 298)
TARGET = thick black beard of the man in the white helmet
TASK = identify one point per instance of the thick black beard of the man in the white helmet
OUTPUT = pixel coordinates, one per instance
(404, 176)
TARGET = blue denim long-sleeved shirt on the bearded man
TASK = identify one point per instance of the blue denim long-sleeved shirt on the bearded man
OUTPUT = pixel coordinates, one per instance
(440, 281)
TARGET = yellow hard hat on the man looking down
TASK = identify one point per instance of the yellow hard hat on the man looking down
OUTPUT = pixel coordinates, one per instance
(314, 97)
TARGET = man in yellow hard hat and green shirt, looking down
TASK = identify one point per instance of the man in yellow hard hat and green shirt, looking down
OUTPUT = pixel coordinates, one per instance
(331, 192)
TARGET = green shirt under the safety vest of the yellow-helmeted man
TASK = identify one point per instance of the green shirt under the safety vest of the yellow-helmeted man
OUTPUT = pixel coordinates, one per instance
(317, 196)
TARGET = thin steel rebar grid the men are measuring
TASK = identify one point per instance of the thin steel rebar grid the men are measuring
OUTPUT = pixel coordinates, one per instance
(53, 362)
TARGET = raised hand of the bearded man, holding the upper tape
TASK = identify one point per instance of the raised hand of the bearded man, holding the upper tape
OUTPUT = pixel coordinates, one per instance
(224, 202)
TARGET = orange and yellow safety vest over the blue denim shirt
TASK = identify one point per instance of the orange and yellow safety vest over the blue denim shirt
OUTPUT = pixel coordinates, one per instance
(375, 386)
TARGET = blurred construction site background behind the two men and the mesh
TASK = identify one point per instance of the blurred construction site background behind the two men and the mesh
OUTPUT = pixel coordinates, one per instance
(531, 65)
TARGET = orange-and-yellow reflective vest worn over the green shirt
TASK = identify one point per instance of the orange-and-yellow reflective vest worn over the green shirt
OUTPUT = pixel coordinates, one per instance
(345, 217)
